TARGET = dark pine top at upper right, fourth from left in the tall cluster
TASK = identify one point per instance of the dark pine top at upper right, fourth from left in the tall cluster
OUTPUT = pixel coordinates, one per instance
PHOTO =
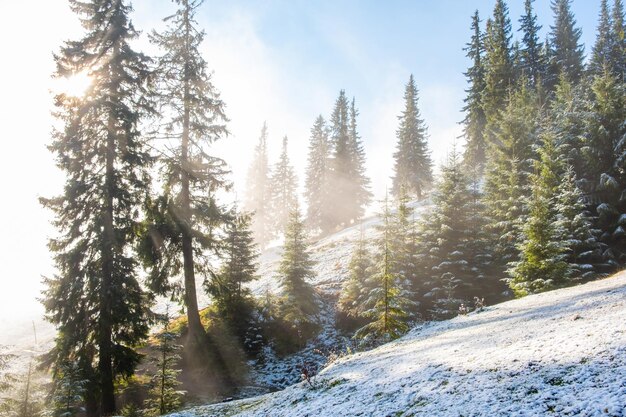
(566, 51)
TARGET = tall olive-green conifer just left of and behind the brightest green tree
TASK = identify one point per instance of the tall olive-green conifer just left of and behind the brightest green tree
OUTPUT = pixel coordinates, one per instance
(507, 177)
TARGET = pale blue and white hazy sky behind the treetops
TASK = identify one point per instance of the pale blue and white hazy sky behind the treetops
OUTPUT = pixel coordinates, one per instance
(280, 61)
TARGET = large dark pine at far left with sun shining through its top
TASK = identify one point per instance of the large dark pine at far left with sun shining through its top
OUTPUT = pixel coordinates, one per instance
(96, 301)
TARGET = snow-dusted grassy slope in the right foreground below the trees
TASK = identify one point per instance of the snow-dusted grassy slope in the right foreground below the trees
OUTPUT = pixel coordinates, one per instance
(561, 353)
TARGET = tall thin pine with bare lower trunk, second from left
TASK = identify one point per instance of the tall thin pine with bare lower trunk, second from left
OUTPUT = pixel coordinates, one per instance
(193, 118)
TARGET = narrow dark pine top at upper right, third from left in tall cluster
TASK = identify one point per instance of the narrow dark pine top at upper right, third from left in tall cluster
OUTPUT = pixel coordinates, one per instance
(532, 58)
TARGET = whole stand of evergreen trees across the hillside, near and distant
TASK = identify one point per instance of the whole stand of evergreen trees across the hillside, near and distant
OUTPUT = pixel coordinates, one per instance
(535, 202)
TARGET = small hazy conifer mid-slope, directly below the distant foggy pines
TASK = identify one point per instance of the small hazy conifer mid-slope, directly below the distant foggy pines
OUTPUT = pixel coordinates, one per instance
(298, 306)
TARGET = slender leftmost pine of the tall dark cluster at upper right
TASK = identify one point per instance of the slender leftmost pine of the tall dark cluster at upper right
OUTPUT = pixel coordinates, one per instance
(474, 122)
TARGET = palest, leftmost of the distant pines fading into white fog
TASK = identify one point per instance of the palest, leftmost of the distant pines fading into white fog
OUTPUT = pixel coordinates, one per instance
(258, 194)
